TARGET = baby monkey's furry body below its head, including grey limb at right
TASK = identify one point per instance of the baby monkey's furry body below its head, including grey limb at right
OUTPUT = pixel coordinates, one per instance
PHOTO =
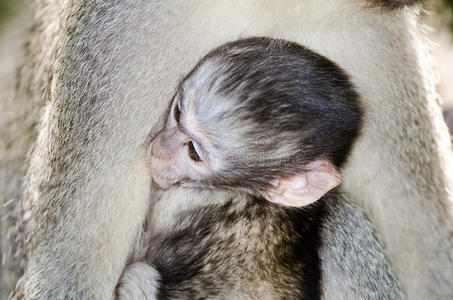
(233, 246)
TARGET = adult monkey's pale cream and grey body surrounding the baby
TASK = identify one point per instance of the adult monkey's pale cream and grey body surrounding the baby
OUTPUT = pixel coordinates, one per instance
(107, 68)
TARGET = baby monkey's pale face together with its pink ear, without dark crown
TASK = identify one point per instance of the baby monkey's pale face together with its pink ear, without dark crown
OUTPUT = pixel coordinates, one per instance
(204, 141)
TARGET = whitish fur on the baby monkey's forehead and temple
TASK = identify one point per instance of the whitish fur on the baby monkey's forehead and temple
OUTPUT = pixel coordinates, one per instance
(223, 125)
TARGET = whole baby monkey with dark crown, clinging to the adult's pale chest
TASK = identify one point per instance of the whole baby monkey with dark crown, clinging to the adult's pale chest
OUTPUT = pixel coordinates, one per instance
(267, 124)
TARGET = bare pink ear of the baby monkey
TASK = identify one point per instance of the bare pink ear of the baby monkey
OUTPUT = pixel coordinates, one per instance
(306, 187)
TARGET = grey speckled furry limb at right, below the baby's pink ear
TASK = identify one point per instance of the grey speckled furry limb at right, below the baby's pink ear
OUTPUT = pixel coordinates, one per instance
(354, 263)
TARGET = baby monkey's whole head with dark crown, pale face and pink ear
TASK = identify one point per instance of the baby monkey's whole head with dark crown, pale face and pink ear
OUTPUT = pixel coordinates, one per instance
(260, 115)
